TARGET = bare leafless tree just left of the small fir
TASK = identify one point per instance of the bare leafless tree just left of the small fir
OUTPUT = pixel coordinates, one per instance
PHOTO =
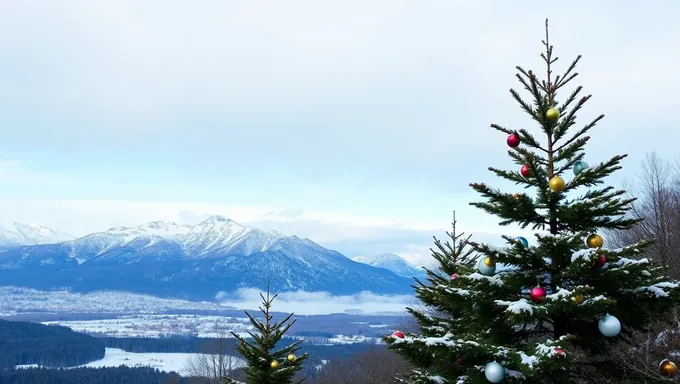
(215, 361)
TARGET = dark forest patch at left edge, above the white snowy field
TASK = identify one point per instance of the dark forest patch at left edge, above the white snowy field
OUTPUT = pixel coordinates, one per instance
(46, 345)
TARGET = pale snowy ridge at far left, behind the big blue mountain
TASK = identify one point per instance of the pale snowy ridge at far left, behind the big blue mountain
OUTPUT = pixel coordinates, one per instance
(16, 234)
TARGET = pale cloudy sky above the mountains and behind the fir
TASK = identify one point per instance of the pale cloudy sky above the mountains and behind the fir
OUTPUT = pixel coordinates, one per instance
(358, 124)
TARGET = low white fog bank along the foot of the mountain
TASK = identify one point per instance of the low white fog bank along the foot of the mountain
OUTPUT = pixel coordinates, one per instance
(311, 303)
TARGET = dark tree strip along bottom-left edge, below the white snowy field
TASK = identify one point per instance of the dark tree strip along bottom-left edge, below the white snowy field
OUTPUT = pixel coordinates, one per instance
(119, 375)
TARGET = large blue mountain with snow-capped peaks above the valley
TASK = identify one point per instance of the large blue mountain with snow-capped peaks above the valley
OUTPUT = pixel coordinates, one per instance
(200, 261)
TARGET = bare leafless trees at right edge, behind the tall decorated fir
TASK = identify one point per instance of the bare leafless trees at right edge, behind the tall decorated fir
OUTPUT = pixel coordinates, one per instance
(657, 190)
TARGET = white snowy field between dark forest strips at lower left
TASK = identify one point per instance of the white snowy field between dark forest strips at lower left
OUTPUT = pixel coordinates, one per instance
(177, 362)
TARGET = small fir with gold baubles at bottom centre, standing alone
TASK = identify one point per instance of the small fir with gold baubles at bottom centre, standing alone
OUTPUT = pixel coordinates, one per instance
(264, 365)
